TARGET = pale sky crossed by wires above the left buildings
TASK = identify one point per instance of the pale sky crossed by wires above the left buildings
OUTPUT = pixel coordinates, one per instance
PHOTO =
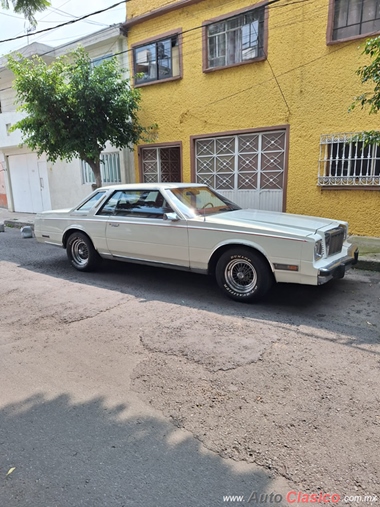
(61, 11)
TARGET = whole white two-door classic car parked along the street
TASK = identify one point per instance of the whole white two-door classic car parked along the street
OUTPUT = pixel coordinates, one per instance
(191, 227)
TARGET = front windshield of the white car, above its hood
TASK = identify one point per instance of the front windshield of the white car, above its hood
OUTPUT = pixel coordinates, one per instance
(202, 200)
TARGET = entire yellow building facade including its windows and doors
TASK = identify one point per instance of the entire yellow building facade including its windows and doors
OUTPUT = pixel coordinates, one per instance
(253, 99)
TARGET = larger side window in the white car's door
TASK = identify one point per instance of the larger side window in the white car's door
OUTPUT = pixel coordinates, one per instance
(136, 203)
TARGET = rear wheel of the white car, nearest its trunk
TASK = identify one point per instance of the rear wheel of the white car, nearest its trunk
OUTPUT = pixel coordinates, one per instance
(81, 252)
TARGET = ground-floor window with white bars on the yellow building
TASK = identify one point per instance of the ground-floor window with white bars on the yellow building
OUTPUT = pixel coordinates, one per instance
(345, 161)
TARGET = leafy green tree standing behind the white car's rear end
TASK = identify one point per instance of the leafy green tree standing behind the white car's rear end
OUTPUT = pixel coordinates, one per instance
(73, 108)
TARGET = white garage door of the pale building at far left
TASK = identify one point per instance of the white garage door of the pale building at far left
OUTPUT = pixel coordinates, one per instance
(29, 181)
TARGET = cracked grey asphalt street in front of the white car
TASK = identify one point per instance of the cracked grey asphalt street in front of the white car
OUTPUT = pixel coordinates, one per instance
(142, 386)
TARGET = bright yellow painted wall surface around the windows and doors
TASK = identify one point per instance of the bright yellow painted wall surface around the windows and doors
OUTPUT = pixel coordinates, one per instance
(312, 91)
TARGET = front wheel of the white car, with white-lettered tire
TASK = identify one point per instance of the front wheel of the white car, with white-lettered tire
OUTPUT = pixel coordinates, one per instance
(243, 274)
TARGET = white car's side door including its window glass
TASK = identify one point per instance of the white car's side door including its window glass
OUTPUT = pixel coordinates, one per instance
(136, 228)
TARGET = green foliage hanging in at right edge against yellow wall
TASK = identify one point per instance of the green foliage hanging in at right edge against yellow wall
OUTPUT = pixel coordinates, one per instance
(370, 74)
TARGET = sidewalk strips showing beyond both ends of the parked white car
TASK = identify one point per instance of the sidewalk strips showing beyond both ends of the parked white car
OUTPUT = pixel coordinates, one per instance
(369, 248)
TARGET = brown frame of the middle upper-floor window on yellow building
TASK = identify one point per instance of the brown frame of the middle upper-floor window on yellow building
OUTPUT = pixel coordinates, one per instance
(205, 45)
